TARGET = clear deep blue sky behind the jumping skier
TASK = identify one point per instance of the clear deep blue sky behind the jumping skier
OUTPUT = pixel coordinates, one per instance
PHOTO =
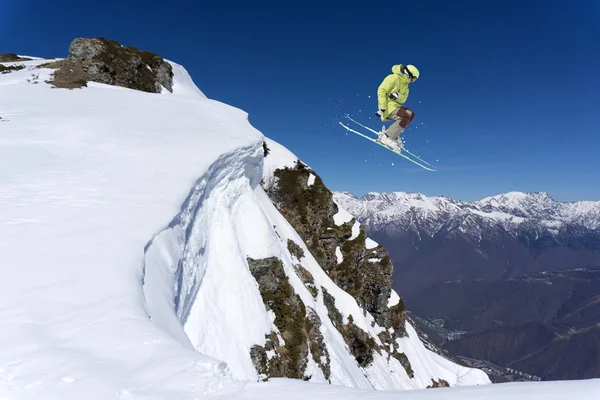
(508, 97)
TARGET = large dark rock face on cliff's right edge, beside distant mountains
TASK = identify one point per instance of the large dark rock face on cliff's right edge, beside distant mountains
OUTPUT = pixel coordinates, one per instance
(364, 273)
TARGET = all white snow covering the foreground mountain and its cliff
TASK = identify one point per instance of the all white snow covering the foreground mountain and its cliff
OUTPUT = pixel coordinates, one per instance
(126, 220)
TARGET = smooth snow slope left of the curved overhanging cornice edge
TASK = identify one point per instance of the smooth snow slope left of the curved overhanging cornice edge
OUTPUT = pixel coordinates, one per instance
(87, 179)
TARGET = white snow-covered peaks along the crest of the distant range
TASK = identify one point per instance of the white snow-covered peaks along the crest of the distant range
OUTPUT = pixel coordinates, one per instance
(510, 211)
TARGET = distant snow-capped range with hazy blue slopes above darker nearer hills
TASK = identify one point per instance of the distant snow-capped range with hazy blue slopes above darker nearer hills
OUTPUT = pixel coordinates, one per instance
(436, 239)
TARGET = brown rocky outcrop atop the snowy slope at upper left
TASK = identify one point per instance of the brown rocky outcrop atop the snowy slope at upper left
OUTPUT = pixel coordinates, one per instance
(106, 61)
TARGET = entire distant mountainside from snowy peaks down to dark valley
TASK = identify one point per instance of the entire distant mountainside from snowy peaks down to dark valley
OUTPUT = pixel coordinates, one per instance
(507, 275)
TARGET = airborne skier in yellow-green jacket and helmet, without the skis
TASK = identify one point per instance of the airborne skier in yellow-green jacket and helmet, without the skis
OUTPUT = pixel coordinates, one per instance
(391, 96)
